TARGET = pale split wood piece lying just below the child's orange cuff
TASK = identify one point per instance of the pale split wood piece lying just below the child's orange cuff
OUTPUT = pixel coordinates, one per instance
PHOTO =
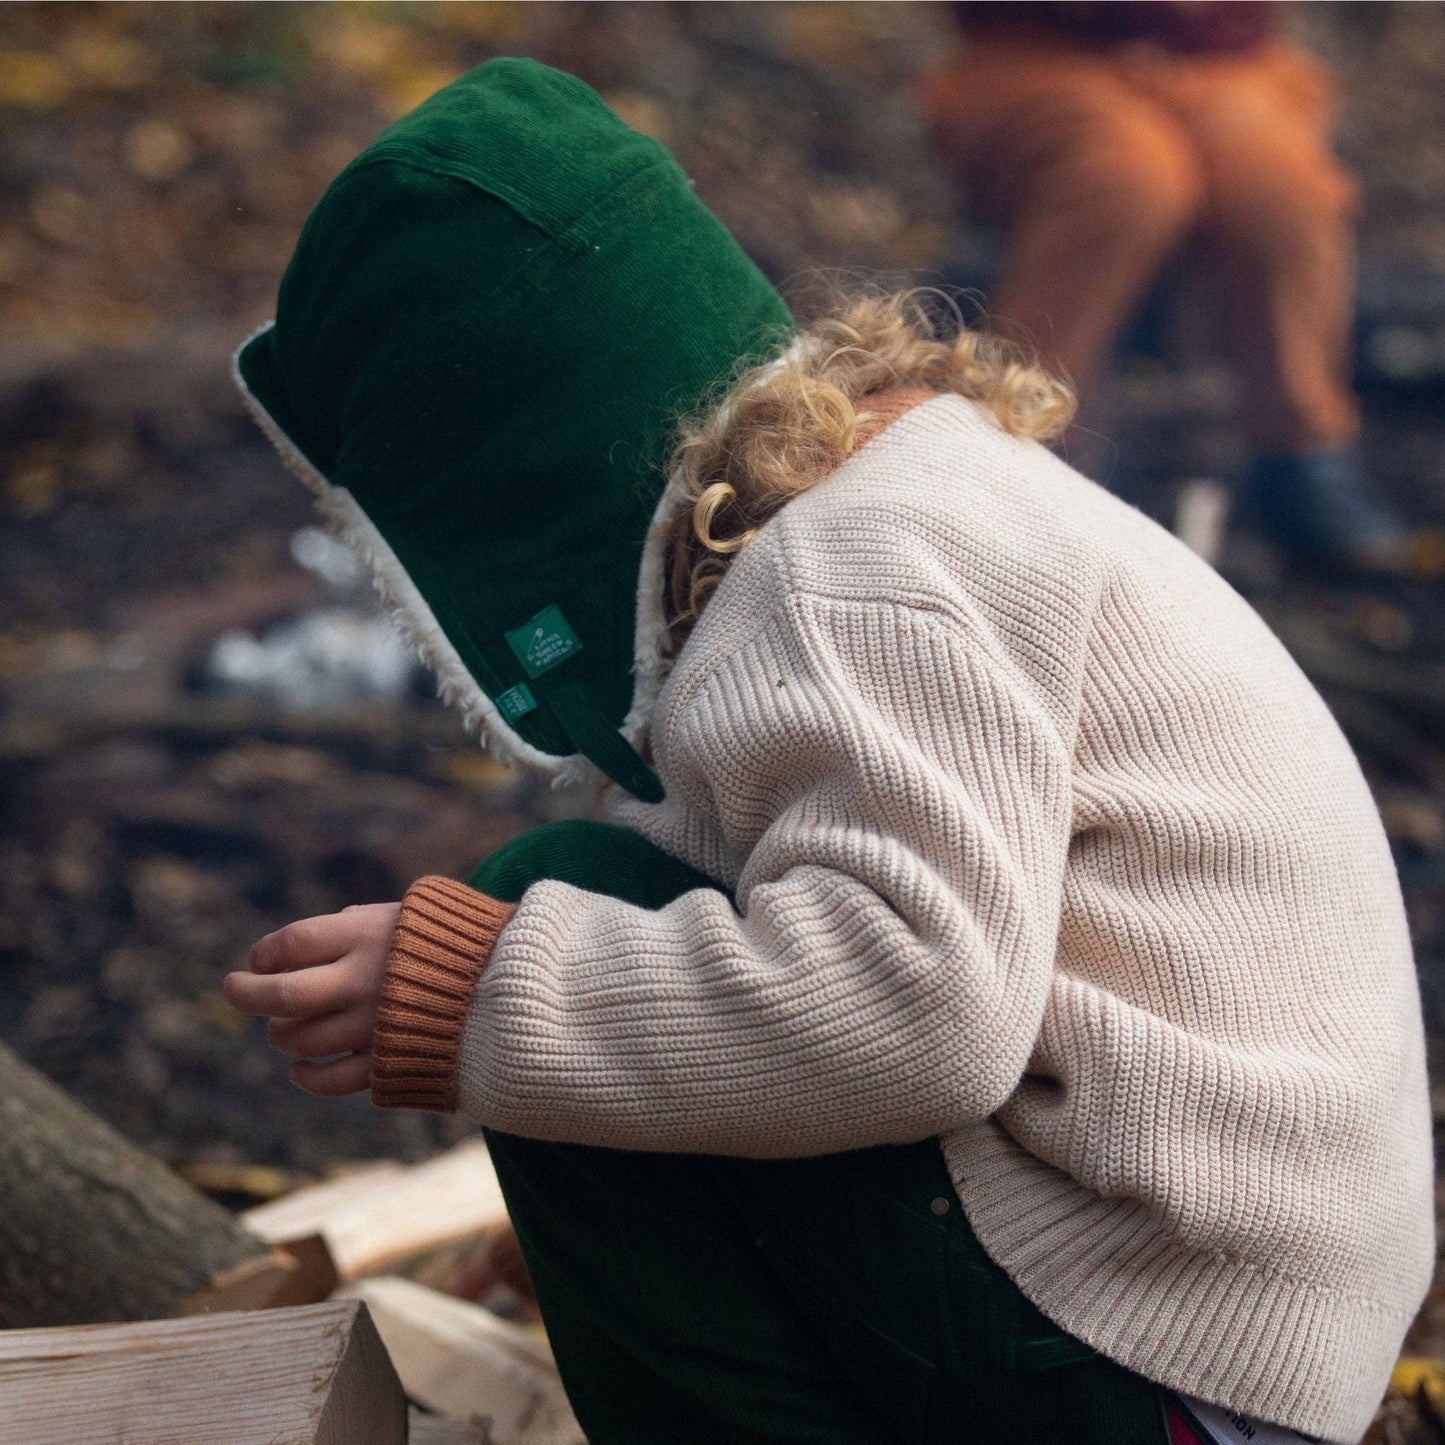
(387, 1215)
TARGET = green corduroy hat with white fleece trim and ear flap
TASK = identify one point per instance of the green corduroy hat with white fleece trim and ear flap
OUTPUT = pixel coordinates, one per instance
(492, 323)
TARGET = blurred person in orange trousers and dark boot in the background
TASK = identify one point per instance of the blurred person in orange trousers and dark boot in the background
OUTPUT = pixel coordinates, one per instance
(1109, 135)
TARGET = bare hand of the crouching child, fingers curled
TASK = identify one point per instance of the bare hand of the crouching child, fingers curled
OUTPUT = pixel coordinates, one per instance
(320, 983)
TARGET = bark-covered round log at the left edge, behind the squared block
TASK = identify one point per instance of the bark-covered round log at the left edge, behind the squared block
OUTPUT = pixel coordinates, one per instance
(95, 1230)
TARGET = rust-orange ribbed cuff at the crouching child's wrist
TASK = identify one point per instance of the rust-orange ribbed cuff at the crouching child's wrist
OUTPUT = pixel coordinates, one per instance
(444, 937)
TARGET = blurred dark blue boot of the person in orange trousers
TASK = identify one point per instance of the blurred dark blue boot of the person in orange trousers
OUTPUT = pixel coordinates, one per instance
(1320, 509)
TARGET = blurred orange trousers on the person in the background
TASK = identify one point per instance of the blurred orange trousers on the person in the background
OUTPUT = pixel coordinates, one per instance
(1103, 161)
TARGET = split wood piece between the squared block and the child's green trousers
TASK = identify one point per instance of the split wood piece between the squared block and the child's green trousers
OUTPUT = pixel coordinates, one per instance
(463, 1362)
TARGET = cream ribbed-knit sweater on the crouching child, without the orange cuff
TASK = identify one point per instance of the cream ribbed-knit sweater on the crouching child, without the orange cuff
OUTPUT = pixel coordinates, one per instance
(1043, 845)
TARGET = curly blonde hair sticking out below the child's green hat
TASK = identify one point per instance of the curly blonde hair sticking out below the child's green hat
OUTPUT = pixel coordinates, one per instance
(787, 426)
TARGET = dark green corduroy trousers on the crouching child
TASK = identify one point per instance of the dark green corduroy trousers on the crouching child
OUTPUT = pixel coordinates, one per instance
(834, 1301)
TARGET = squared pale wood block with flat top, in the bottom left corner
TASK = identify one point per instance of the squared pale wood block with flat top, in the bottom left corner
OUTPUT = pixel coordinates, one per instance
(311, 1376)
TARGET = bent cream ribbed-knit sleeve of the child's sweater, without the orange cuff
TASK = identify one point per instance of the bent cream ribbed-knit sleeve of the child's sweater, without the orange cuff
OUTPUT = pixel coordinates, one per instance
(902, 807)
